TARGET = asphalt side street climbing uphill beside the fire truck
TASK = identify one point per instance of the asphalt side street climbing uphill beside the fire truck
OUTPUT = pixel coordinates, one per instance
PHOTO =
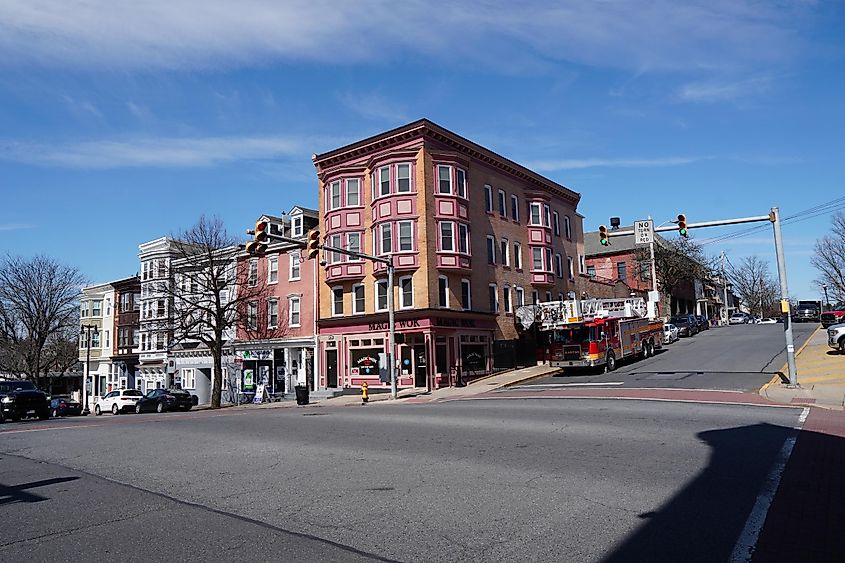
(739, 357)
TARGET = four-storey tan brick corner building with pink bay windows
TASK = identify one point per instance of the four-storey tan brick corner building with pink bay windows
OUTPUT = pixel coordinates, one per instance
(472, 235)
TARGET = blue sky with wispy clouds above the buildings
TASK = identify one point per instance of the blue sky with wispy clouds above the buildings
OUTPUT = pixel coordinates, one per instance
(121, 123)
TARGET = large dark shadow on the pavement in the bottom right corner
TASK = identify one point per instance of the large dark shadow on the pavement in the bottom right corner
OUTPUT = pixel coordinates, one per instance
(704, 521)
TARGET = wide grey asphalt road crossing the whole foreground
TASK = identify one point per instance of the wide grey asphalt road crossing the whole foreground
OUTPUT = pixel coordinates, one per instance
(493, 480)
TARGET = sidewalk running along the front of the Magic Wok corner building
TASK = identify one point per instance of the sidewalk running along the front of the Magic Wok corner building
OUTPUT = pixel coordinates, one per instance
(477, 387)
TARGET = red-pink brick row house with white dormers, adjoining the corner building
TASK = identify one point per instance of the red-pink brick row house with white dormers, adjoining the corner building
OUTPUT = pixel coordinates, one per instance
(275, 346)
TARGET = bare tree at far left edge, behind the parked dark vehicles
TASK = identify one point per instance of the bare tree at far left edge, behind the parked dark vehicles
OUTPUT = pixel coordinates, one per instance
(38, 316)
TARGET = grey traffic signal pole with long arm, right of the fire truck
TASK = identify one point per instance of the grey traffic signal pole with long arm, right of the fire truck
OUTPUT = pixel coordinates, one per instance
(774, 218)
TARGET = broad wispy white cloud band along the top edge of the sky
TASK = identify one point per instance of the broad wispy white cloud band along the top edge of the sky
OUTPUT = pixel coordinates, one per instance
(176, 34)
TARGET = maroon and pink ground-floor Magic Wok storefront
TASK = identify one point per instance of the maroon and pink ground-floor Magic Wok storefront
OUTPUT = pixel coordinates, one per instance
(431, 349)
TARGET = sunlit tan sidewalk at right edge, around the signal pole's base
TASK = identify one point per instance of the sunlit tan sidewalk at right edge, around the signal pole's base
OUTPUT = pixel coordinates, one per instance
(821, 376)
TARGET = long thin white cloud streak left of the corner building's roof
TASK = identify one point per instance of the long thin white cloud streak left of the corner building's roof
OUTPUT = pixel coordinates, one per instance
(156, 152)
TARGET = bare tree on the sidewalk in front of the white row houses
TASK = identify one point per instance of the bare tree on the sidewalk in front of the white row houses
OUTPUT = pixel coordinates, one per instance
(210, 295)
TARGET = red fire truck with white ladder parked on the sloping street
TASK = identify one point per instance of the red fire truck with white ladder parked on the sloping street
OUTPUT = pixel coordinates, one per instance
(592, 333)
